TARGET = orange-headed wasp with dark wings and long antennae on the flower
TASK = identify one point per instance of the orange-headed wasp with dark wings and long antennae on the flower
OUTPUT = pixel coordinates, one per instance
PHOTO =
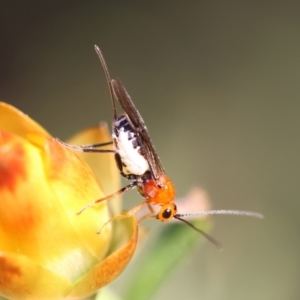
(138, 161)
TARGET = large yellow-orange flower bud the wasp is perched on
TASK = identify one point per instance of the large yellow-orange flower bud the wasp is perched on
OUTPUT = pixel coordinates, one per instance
(47, 251)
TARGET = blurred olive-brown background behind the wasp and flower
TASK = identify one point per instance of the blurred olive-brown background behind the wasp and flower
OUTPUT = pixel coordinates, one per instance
(218, 86)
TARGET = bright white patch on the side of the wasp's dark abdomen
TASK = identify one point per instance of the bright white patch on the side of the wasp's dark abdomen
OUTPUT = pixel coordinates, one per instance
(134, 162)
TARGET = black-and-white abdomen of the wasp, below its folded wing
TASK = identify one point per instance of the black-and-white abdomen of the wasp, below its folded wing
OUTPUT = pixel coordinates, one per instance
(130, 157)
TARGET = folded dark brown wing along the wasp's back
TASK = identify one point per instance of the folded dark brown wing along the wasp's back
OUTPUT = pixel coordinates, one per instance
(126, 103)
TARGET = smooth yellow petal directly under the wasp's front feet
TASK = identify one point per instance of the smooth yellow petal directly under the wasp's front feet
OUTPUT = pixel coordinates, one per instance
(75, 186)
